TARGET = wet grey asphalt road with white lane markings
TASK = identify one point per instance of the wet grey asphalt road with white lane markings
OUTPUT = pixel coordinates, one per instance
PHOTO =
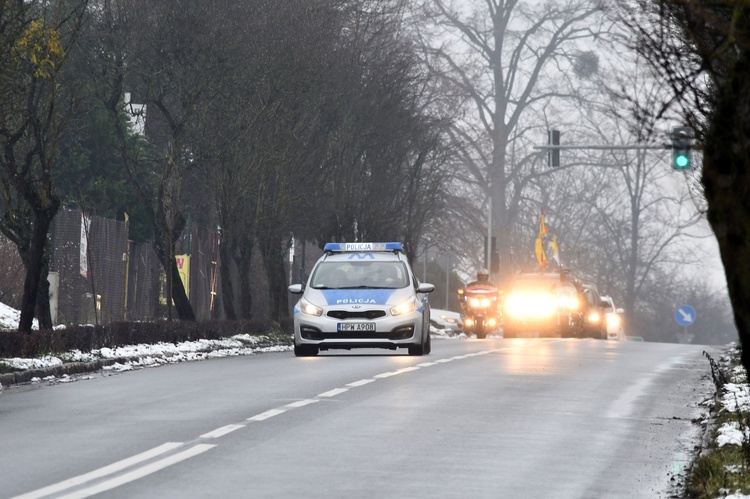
(476, 418)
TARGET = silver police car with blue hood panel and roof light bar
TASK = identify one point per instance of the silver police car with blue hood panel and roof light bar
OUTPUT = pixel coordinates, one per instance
(362, 295)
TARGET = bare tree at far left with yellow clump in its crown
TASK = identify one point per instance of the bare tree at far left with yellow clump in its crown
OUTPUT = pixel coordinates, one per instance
(35, 40)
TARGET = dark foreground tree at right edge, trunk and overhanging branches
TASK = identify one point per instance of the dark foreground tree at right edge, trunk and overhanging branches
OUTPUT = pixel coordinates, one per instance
(702, 52)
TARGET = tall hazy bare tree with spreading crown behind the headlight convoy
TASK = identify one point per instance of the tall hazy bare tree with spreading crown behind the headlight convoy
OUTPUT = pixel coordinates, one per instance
(499, 57)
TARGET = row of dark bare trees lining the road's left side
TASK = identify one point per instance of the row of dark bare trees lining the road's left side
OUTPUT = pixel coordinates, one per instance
(269, 119)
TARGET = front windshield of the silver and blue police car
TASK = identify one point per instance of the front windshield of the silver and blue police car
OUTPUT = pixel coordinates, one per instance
(352, 275)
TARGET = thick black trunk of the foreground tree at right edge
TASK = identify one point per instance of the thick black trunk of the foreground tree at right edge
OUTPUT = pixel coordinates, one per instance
(726, 179)
